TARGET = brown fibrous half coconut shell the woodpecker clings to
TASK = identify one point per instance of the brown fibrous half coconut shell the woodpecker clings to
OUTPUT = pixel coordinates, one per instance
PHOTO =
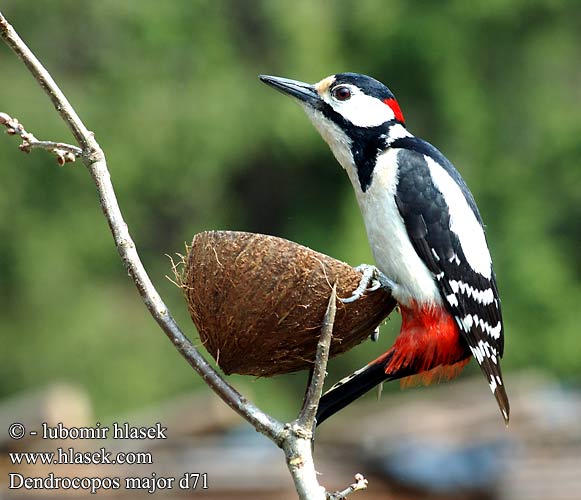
(258, 302)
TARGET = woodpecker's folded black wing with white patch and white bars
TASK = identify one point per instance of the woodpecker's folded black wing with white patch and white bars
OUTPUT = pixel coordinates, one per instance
(446, 230)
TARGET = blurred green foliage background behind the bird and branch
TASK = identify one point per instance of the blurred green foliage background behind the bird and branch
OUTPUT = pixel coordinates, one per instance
(195, 141)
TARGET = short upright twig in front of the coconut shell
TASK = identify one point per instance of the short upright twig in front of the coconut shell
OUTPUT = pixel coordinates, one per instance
(307, 415)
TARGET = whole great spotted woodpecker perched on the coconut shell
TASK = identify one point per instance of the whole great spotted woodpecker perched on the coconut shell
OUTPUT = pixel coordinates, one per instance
(426, 235)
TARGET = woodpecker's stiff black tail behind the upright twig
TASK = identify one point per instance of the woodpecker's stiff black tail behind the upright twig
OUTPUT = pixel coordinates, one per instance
(349, 389)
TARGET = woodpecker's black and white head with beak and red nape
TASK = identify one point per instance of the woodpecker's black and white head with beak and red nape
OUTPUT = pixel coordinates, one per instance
(353, 113)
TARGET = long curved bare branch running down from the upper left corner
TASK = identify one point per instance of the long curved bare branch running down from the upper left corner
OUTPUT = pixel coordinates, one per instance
(94, 159)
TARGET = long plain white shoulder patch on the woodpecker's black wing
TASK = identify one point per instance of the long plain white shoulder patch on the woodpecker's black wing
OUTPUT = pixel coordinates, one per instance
(463, 222)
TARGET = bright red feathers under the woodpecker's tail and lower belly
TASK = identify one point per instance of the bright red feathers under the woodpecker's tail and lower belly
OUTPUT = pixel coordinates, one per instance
(429, 341)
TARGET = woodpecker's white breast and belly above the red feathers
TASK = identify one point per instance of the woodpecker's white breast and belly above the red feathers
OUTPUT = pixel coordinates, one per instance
(392, 249)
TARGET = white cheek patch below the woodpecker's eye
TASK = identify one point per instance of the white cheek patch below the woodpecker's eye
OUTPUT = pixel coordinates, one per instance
(362, 110)
